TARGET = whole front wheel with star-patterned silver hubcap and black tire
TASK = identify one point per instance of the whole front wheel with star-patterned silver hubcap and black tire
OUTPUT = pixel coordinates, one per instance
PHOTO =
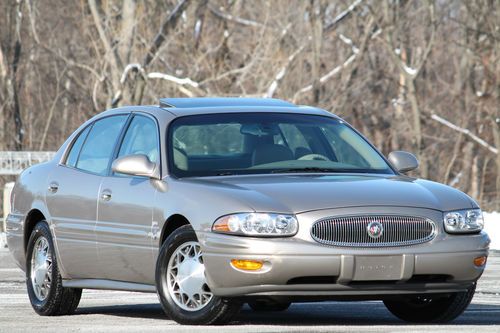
(181, 284)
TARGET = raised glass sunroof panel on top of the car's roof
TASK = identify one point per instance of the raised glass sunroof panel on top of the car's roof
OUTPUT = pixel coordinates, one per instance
(200, 102)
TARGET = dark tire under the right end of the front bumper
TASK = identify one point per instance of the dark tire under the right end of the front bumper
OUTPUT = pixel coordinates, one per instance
(430, 309)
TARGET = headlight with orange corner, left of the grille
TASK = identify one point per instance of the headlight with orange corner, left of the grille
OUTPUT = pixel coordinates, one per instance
(257, 224)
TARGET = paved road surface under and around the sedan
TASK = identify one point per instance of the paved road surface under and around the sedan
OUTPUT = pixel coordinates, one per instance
(113, 311)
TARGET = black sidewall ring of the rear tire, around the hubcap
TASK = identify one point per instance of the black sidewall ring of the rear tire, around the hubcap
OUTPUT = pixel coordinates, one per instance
(41, 229)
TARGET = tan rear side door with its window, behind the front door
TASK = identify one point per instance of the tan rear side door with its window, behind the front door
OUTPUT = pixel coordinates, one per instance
(72, 192)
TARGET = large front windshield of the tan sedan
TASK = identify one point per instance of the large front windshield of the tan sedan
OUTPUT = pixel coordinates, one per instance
(262, 143)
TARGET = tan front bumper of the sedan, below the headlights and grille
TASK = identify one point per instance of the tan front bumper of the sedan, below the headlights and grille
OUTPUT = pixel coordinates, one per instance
(300, 267)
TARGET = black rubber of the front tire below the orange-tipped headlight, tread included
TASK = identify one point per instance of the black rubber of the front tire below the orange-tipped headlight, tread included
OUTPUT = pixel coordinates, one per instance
(217, 311)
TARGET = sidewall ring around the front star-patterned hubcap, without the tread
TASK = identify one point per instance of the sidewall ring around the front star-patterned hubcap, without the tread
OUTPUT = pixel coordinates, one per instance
(182, 235)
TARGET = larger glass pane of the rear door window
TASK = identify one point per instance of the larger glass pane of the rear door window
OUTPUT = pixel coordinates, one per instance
(98, 148)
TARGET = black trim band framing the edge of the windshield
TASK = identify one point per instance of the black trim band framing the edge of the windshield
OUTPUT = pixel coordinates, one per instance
(239, 172)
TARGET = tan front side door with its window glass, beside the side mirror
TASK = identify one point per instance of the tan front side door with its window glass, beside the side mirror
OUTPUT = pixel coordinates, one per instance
(125, 210)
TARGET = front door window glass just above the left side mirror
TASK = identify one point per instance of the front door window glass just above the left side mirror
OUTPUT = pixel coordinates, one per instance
(141, 138)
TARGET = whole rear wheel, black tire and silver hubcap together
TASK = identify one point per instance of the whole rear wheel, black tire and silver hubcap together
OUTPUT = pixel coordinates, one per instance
(44, 283)
